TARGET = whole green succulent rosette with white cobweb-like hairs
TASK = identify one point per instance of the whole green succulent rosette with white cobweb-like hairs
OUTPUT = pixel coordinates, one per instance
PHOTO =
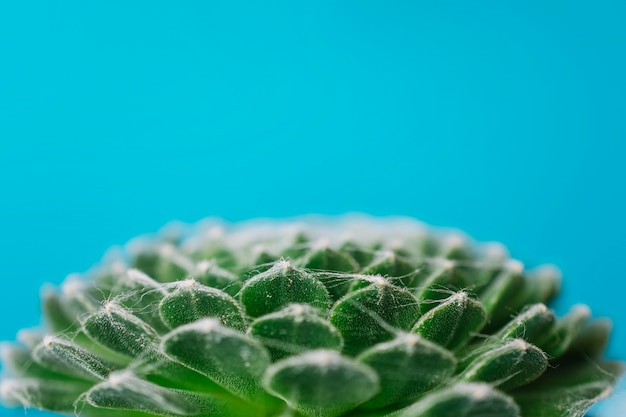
(313, 317)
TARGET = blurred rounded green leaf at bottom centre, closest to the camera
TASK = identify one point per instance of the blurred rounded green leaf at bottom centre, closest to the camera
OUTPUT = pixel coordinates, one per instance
(321, 383)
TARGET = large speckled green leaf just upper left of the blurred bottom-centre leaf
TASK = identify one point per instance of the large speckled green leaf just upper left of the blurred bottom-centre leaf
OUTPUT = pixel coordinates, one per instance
(230, 358)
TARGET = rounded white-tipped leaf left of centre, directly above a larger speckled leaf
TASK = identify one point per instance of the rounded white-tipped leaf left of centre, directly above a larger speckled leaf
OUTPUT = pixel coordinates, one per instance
(189, 301)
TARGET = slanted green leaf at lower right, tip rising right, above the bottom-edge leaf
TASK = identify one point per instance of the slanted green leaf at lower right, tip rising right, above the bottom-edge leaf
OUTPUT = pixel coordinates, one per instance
(513, 364)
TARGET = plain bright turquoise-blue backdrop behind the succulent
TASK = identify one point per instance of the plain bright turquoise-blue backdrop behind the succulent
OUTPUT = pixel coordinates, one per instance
(504, 119)
